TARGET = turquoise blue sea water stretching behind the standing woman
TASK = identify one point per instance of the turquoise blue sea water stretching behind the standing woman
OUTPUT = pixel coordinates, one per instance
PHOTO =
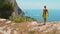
(54, 14)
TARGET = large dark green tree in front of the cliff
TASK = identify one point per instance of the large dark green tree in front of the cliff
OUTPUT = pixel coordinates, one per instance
(6, 9)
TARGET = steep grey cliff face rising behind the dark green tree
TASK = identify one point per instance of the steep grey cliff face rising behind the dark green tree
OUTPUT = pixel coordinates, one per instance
(17, 11)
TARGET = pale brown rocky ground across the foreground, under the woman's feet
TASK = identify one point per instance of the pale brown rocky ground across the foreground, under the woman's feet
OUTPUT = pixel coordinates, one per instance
(9, 27)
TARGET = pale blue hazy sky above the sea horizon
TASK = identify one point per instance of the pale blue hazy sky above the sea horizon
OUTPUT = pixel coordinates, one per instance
(38, 4)
